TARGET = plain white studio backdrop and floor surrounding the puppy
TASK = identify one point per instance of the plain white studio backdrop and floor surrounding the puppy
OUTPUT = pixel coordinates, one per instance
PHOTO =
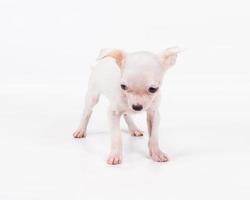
(46, 50)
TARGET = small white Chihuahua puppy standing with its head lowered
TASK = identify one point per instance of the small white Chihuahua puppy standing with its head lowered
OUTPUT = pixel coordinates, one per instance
(132, 84)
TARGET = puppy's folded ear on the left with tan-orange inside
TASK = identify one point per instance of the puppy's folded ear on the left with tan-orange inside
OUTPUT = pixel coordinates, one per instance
(117, 54)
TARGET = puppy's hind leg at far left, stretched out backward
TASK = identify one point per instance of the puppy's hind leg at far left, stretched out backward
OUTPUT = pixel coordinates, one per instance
(91, 100)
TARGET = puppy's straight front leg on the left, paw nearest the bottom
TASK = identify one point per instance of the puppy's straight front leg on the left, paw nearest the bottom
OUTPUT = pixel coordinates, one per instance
(115, 155)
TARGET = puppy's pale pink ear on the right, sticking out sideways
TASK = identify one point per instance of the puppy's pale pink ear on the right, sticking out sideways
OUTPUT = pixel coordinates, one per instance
(168, 57)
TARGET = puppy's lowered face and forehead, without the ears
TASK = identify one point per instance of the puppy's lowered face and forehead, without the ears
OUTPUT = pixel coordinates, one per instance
(141, 76)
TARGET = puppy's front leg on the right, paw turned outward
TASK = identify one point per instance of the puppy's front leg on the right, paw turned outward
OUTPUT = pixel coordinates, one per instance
(153, 119)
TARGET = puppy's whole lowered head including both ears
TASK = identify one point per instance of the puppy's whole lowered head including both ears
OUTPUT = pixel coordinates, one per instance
(141, 75)
